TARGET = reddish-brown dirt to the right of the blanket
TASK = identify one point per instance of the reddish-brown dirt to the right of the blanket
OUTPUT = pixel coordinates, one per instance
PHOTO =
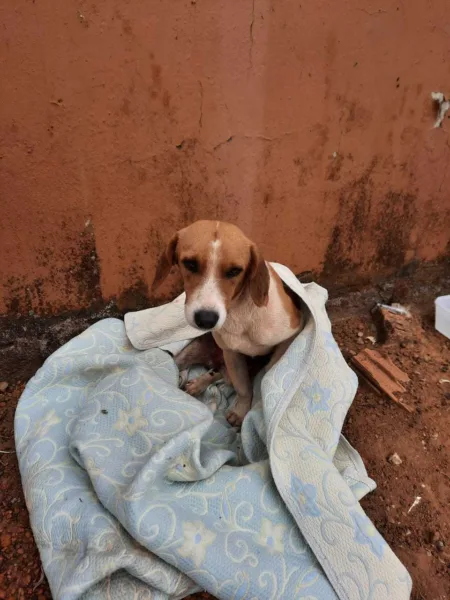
(377, 427)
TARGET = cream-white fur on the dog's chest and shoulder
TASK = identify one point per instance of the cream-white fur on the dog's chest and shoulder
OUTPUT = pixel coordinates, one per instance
(253, 330)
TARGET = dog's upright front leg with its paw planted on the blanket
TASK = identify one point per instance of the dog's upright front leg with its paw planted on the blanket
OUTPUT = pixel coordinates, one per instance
(237, 369)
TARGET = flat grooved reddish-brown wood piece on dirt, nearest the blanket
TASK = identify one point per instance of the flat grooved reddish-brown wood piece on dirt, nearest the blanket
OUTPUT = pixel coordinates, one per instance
(384, 374)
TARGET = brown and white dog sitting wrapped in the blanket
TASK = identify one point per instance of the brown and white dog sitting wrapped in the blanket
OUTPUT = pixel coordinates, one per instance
(234, 294)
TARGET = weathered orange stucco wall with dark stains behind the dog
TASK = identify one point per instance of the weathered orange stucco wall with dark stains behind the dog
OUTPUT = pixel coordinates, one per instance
(309, 124)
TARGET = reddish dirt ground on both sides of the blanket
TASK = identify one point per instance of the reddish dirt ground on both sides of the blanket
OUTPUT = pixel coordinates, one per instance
(377, 427)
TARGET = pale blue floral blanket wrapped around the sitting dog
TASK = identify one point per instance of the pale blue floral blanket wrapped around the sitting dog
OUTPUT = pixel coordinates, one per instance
(138, 491)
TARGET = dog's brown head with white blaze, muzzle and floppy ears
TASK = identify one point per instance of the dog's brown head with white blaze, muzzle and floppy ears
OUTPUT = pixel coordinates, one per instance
(218, 264)
